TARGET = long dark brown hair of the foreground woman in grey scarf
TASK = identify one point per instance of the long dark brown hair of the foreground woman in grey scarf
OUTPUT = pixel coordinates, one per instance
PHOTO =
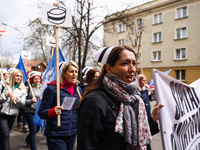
(112, 58)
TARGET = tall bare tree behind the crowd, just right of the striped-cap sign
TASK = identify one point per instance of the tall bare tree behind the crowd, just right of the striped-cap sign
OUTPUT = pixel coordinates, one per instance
(80, 35)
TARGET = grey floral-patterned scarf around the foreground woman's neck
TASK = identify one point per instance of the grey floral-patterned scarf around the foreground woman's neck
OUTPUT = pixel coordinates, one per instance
(132, 118)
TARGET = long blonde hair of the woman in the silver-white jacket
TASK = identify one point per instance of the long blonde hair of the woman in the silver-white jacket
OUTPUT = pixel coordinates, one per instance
(12, 80)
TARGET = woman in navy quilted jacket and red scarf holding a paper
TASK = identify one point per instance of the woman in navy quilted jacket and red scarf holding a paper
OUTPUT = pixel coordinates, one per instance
(61, 137)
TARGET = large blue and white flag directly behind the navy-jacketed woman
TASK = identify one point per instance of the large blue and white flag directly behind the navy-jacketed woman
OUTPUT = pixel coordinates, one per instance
(48, 76)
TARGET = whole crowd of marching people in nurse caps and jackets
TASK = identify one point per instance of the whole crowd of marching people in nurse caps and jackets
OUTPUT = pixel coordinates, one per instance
(109, 109)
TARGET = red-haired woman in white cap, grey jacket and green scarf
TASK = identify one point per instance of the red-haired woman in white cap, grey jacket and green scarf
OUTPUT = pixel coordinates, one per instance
(31, 104)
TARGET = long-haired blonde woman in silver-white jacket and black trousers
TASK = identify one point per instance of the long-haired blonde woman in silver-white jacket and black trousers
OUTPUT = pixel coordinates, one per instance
(10, 101)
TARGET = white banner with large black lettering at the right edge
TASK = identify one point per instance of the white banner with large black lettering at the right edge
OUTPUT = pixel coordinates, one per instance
(180, 118)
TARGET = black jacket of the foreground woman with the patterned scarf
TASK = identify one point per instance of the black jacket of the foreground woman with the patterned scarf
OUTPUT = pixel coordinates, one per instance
(96, 128)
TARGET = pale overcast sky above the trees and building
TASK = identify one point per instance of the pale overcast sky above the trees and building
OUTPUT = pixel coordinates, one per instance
(17, 13)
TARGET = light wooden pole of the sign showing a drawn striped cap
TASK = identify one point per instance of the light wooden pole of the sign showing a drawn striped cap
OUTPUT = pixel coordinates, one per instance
(57, 74)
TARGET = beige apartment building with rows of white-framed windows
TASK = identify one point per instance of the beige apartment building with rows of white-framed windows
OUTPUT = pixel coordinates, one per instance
(170, 33)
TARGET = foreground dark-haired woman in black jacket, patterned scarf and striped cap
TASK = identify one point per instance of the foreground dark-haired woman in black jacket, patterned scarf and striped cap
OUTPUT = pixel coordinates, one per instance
(112, 115)
